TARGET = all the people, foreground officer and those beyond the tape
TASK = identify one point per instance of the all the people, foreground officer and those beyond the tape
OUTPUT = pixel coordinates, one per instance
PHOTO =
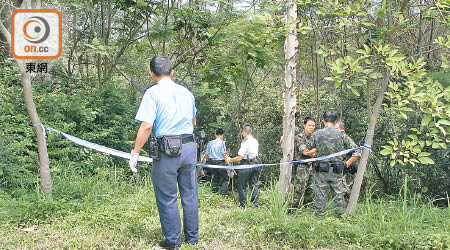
(168, 110)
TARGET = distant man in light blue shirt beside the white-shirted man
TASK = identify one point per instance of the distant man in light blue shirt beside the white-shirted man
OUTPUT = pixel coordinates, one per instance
(215, 153)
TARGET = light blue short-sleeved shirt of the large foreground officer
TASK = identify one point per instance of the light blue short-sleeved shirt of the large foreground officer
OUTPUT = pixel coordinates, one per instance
(170, 107)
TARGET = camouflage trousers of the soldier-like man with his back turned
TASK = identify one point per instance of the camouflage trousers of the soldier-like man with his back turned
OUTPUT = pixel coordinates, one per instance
(322, 183)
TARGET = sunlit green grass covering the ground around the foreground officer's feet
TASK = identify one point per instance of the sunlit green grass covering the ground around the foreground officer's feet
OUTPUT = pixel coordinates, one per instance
(121, 213)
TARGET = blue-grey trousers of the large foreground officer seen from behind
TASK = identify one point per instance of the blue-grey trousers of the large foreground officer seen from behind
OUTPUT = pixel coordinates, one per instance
(167, 172)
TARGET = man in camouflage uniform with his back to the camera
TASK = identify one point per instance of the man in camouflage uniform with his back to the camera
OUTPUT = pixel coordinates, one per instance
(329, 172)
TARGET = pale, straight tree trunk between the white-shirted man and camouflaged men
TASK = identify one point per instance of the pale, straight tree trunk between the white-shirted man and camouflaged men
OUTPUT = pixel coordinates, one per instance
(291, 45)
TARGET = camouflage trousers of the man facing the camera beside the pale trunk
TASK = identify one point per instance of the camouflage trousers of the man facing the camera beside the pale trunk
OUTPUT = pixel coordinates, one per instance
(302, 180)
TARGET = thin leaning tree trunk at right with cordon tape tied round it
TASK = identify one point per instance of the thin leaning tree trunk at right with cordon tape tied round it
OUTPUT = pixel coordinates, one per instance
(369, 140)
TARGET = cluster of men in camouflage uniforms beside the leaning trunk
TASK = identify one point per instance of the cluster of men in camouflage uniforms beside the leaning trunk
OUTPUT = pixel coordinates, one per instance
(335, 173)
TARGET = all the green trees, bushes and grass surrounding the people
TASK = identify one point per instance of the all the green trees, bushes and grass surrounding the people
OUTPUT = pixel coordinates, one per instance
(230, 55)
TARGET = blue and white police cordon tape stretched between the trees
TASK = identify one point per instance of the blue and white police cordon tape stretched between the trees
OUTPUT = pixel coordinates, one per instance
(121, 154)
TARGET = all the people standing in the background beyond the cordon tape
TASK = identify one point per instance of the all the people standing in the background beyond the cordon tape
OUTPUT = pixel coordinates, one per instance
(336, 173)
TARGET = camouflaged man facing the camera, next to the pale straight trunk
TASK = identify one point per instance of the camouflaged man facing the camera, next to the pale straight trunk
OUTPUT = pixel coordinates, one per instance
(302, 172)
